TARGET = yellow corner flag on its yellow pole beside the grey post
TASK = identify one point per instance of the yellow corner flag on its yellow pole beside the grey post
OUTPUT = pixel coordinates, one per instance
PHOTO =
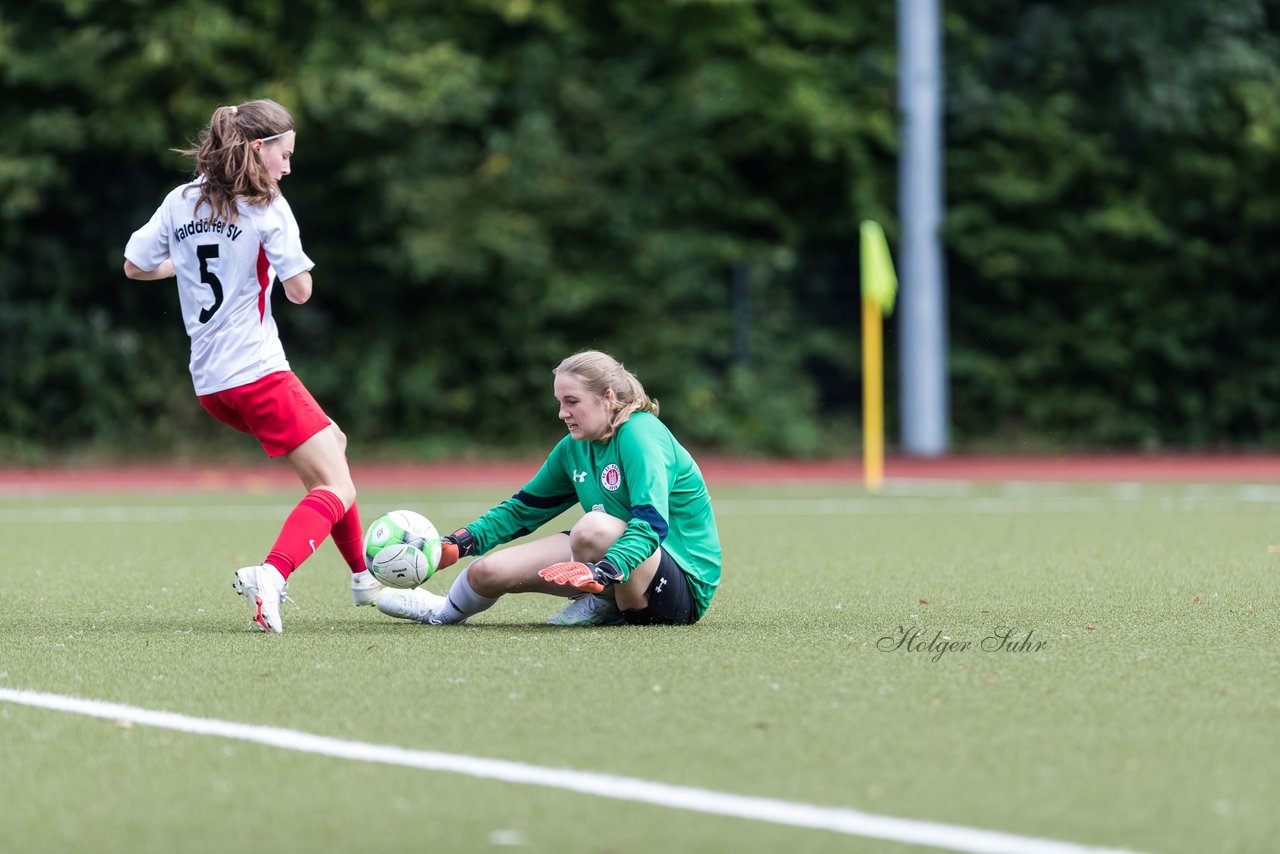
(879, 287)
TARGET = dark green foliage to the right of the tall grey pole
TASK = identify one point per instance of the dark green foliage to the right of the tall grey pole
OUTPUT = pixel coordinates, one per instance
(1112, 257)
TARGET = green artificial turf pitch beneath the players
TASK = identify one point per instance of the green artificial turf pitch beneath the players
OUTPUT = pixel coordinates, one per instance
(1148, 719)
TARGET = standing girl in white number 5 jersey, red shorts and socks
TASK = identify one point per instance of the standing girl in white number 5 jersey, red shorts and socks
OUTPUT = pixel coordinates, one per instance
(227, 236)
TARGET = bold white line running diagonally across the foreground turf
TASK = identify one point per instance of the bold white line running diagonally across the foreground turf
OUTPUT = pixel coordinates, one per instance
(702, 801)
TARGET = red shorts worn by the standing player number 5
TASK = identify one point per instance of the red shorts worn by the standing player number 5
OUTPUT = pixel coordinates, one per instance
(277, 410)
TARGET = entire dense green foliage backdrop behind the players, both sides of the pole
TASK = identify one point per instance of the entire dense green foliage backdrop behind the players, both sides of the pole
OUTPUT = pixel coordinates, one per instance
(490, 185)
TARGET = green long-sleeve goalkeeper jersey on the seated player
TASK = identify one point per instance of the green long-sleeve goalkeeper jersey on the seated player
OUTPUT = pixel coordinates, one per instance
(642, 476)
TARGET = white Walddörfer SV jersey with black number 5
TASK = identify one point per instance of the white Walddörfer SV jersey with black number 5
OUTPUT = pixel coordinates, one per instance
(225, 282)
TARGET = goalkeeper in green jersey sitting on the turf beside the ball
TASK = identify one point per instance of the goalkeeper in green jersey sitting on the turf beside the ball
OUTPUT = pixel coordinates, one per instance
(646, 550)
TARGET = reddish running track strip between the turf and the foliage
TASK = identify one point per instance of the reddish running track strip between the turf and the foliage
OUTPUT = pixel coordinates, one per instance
(158, 477)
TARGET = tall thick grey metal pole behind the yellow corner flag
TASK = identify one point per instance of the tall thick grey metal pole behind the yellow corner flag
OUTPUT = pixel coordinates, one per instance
(925, 407)
